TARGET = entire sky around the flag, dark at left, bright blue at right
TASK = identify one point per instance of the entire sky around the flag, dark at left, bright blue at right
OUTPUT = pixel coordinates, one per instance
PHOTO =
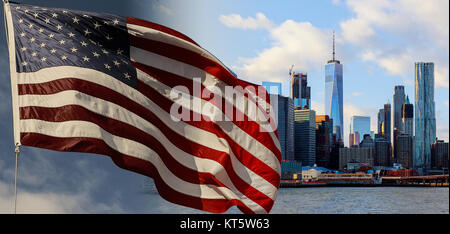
(377, 41)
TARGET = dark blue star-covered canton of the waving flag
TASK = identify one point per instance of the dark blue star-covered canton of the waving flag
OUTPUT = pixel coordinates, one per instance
(58, 37)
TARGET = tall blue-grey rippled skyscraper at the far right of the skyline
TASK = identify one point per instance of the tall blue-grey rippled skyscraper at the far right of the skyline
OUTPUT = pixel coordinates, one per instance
(425, 120)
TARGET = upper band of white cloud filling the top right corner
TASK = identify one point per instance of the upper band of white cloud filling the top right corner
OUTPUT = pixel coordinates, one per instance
(405, 17)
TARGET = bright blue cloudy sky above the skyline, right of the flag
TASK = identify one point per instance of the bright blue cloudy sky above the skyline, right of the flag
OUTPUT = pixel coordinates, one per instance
(378, 43)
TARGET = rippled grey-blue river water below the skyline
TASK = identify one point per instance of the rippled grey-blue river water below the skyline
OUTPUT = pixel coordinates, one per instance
(337, 200)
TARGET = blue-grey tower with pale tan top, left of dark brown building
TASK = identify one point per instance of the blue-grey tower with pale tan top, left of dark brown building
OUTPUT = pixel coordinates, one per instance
(305, 136)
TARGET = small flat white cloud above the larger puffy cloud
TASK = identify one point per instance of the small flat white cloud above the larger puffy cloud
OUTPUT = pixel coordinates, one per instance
(236, 21)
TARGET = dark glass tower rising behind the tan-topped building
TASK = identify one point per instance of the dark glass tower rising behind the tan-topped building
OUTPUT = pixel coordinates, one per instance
(301, 92)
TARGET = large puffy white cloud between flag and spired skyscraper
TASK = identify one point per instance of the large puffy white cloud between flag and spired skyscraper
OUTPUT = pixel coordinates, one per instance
(298, 43)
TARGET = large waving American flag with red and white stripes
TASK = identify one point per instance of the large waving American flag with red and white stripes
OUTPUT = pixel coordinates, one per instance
(100, 83)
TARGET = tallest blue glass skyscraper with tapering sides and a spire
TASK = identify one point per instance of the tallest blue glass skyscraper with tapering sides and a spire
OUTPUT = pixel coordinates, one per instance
(334, 94)
